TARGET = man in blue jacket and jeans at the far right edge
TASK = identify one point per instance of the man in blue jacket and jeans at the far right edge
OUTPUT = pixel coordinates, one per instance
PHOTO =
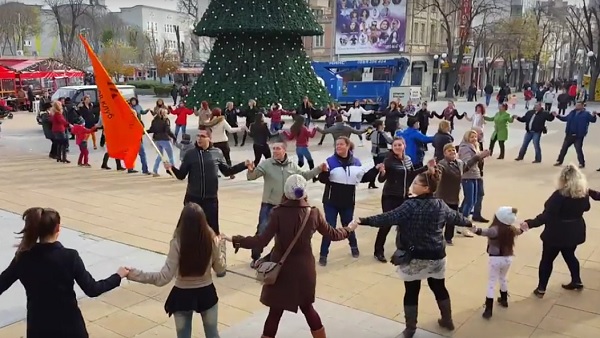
(578, 122)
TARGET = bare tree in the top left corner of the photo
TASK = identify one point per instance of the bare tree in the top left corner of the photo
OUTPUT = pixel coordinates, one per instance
(19, 22)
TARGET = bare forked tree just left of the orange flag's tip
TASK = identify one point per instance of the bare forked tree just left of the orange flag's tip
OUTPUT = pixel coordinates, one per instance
(69, 15)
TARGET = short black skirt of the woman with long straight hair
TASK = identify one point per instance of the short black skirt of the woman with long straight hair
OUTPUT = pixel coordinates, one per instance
(197, 300)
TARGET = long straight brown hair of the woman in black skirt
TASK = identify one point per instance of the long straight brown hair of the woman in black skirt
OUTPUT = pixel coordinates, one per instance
(196, 240)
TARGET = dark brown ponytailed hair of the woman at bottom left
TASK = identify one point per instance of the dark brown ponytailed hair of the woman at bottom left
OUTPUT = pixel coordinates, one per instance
(39, 224)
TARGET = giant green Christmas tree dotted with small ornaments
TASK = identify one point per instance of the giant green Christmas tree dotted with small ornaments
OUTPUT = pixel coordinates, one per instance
(258, 54)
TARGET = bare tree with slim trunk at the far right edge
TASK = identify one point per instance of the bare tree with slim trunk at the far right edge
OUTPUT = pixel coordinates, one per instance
(584, 22)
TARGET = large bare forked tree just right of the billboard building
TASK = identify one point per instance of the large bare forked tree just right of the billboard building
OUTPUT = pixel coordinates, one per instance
(453, 14)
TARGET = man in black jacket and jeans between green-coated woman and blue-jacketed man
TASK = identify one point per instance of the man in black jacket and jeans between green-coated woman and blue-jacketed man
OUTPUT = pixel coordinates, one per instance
(535, 126)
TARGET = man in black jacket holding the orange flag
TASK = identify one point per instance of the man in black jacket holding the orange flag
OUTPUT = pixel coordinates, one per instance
(199, 166)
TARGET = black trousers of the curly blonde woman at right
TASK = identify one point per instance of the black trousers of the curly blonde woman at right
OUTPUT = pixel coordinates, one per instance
(549, 254)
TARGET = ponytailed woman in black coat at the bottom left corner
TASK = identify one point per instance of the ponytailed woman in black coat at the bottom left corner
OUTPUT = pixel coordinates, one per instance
(48, 271)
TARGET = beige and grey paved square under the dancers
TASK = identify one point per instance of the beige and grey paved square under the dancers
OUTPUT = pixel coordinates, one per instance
(104, 209)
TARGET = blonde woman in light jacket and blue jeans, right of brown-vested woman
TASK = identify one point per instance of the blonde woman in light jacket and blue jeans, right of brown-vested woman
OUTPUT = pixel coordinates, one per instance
(472, 181)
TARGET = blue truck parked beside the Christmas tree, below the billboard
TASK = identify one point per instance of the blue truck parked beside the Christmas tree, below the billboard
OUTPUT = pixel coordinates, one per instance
(345, 82)
